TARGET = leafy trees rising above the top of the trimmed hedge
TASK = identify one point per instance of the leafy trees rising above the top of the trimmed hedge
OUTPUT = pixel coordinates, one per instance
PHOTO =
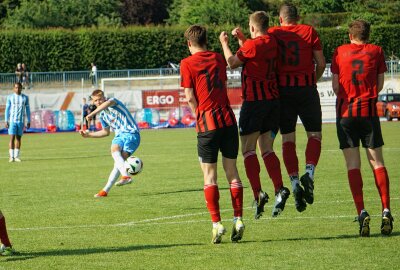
(88, 13)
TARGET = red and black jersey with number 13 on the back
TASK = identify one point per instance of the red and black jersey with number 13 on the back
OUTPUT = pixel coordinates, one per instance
(296, 44)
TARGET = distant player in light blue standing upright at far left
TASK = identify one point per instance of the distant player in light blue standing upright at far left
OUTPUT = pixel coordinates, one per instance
(17, 107)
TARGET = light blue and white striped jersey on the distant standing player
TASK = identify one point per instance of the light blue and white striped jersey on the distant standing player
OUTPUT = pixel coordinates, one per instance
(16, 107)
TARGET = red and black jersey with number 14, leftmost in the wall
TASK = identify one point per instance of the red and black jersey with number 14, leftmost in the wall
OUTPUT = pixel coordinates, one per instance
(205, 72)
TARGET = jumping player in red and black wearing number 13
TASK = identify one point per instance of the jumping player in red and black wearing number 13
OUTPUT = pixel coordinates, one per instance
(300, 64)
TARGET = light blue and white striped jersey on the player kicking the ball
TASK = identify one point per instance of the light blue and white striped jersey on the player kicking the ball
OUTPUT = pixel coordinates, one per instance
(118, 118)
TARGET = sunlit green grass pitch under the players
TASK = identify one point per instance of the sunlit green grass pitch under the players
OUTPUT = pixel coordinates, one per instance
(161, 222)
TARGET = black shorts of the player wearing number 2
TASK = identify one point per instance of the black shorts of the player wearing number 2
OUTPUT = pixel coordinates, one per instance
(351, 130)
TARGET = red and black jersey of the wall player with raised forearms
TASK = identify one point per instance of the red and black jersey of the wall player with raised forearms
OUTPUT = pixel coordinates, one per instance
(258, 73)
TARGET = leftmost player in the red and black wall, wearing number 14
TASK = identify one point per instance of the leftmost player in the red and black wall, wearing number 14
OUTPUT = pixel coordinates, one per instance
(203, 77)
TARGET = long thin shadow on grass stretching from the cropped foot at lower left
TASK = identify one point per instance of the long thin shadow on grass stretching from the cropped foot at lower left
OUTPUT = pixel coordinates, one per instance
(21, 256)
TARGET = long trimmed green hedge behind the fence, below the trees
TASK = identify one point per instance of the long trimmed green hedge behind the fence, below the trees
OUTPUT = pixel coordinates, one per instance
(135, 47)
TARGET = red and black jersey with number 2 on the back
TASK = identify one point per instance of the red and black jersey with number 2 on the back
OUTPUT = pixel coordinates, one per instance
(357, 66)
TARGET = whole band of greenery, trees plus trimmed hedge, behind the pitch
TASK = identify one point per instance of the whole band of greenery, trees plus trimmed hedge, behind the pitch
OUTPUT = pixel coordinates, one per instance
(60, 35)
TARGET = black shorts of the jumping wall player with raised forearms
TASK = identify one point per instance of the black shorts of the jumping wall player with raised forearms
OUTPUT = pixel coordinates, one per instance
(261, 115)
